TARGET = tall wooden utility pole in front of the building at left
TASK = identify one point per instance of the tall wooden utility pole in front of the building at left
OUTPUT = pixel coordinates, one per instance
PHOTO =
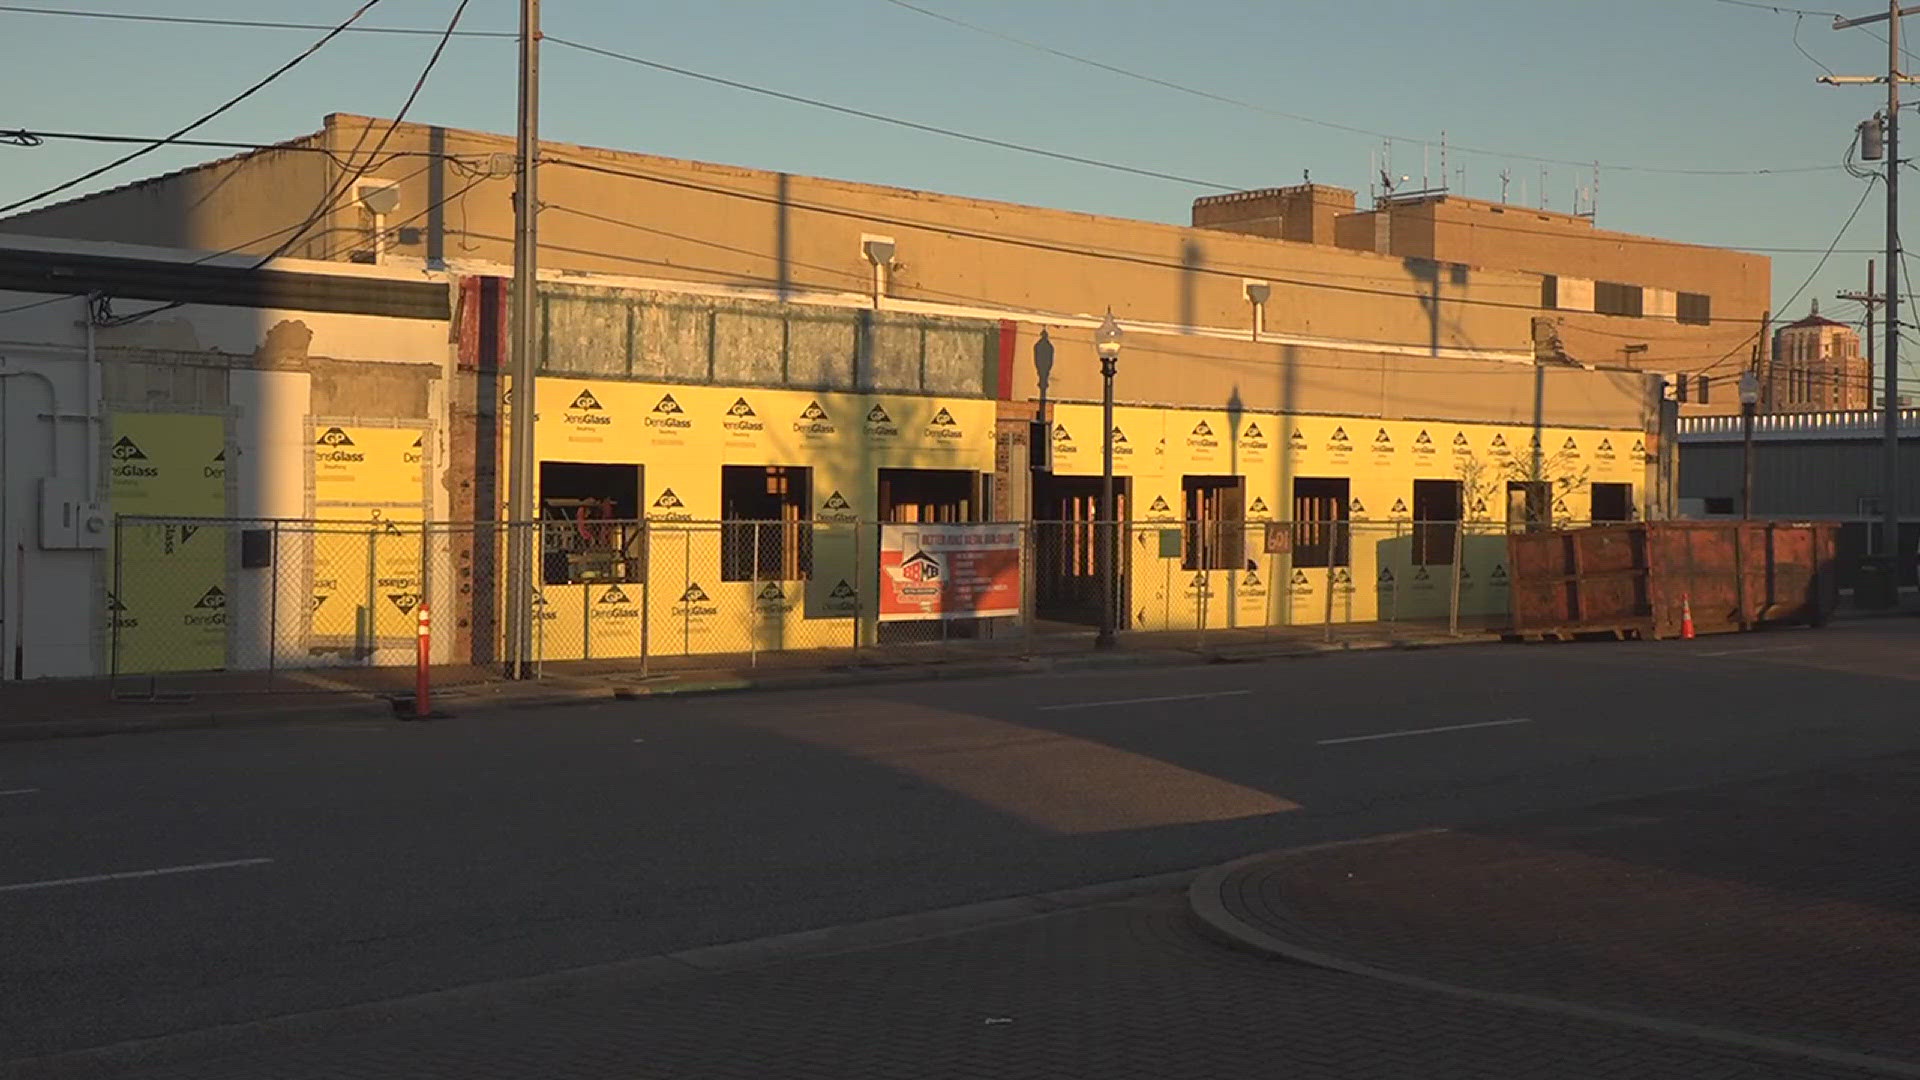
(521, 518)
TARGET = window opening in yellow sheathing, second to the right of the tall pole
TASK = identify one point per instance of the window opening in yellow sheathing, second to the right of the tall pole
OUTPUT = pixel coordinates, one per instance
(765, 531)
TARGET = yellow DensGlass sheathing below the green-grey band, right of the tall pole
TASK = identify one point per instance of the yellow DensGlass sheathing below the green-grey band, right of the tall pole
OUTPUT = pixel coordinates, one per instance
(683, 437)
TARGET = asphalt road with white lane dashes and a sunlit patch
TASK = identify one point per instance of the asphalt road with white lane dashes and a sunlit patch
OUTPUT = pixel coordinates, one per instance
(166, 883)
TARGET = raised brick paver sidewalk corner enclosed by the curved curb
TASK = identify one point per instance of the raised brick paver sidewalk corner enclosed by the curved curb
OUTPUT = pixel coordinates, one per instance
(1785, 908)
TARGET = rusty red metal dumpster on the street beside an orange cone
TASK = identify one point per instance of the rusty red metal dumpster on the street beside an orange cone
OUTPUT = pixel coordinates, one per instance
(1633, 577)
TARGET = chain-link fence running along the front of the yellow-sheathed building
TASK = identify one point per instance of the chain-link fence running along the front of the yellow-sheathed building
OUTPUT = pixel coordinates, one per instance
(304, 602)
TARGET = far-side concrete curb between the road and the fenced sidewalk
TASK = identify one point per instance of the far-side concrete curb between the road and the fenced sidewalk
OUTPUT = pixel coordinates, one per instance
(498, 699)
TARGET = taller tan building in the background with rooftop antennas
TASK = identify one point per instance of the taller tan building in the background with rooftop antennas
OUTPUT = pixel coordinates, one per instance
(1612, 299)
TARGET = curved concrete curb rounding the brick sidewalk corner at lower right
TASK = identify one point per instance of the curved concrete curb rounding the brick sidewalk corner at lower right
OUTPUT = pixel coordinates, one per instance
(1214, 920)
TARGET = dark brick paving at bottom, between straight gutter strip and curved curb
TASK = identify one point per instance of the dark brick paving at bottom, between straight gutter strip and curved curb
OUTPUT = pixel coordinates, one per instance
(1124, 991)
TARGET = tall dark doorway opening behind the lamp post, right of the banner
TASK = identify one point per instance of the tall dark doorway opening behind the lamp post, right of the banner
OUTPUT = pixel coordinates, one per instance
(1067, 549)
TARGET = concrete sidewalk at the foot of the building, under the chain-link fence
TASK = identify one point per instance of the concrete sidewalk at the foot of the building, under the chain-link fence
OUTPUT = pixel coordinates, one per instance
(62, 708)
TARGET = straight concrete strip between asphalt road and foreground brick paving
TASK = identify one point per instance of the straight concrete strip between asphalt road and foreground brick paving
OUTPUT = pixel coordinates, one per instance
(656, 970)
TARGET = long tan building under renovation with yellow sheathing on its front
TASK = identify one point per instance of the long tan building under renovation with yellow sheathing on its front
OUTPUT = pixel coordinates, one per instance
(725, 349)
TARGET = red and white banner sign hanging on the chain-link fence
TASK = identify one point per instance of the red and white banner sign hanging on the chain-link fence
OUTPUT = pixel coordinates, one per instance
(949, 572)
